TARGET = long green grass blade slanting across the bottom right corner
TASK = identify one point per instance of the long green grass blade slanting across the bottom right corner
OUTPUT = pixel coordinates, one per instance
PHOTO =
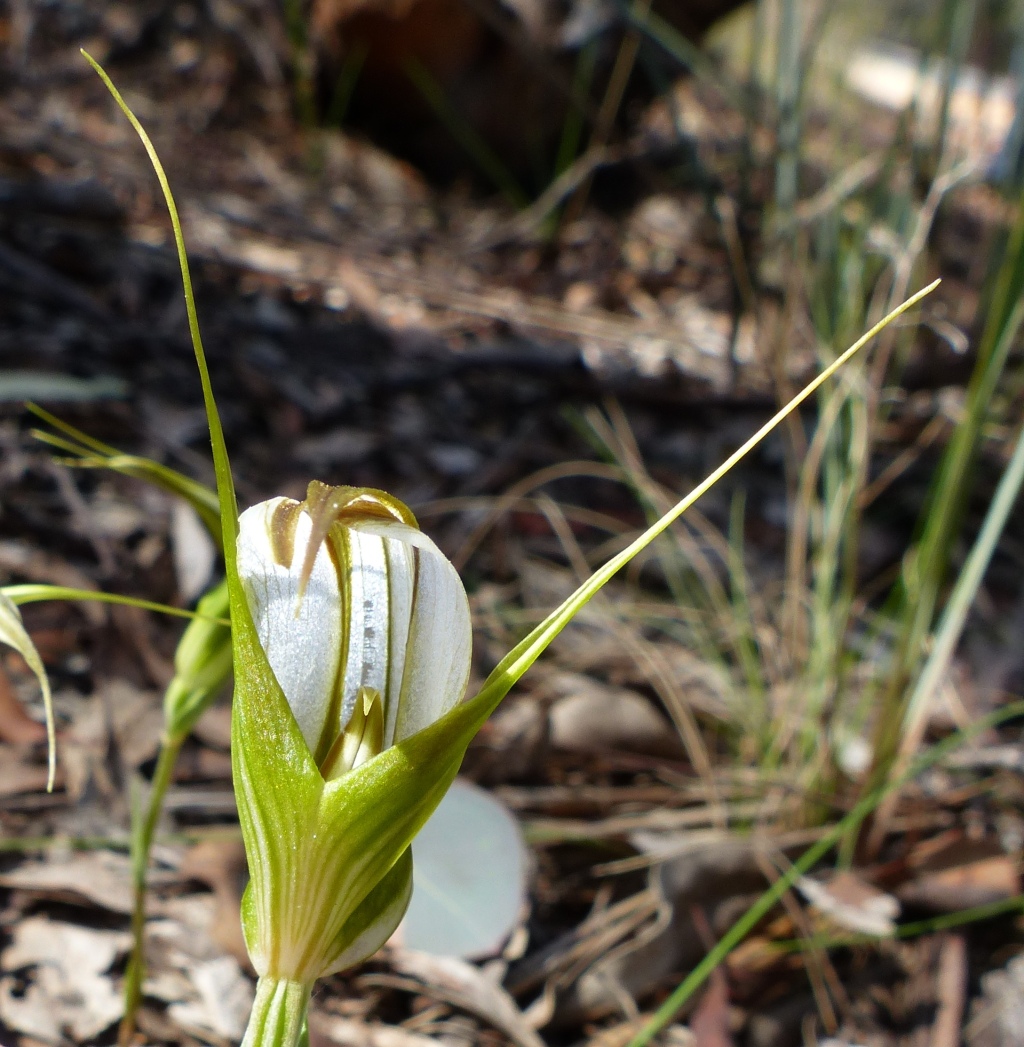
(667, 1012)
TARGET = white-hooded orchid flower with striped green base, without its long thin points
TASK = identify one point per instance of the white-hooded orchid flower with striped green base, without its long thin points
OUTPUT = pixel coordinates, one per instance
(351, 660)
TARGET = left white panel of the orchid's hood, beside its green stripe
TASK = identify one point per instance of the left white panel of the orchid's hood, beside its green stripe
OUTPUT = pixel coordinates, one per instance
(304, 651)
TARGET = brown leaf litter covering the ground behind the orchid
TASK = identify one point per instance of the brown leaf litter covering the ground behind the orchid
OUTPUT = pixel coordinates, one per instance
(365, 328)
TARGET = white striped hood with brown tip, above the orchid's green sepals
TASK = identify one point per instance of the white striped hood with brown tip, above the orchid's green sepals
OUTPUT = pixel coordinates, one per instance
(365, 622)
